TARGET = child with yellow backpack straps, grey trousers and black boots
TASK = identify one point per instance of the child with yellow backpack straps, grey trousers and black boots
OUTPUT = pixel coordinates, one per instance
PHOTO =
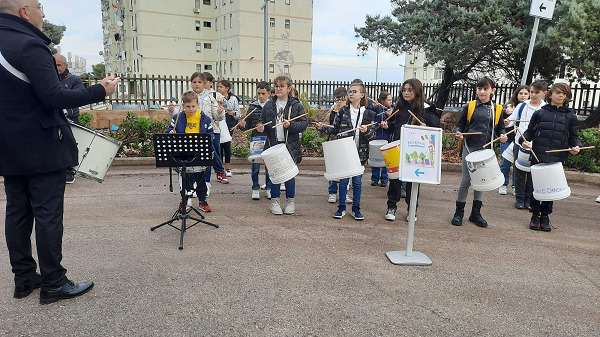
(487, 119)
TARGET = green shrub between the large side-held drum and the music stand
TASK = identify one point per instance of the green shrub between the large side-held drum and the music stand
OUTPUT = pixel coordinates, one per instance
(136, 133)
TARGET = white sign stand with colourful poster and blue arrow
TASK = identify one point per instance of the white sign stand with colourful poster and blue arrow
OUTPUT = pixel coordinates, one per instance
(420, 162)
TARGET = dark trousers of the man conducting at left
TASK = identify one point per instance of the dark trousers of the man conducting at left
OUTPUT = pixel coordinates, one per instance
(39, 197)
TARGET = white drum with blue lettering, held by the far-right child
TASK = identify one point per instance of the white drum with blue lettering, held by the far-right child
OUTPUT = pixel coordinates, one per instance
(549, 182)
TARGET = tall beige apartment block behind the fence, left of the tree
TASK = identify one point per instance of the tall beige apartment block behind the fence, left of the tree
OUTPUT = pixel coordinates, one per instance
(224, 37)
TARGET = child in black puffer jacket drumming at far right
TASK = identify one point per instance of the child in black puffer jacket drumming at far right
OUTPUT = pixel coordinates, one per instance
(552, 127)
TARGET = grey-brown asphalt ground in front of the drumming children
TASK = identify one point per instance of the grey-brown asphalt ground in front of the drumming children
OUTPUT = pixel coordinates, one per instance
(309, 274)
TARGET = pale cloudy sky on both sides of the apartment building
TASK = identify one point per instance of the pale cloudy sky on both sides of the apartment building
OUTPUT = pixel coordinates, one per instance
(334, 53)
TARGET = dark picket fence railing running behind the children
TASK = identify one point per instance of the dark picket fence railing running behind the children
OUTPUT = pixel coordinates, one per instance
(155, 92)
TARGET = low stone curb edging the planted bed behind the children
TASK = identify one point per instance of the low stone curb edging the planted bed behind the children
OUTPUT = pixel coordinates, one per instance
(572, 176)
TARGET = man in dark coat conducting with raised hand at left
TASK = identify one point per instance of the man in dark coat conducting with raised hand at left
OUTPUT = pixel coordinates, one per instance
(36, 147)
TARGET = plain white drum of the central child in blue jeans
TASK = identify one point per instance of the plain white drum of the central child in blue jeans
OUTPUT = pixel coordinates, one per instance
(341, 159)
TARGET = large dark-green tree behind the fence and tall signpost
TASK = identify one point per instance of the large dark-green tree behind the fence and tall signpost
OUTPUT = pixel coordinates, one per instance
(469, 38)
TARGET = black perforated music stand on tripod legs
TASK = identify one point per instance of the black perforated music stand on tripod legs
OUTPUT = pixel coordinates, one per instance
(183, 150)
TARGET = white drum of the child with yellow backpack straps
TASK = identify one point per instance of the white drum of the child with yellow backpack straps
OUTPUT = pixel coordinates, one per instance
(484, 170)
